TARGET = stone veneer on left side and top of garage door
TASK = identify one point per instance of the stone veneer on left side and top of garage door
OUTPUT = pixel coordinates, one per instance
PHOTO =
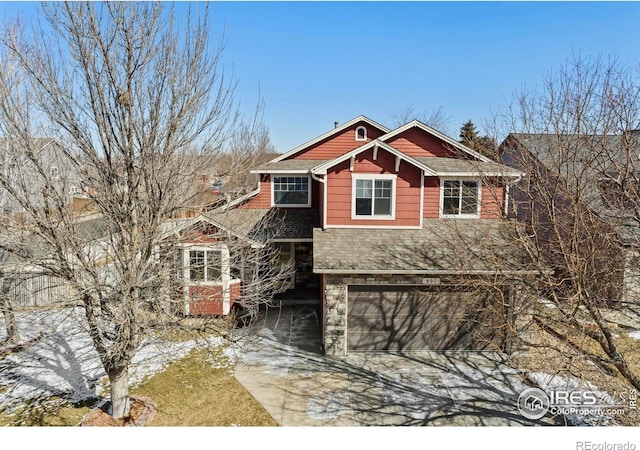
(335, 303)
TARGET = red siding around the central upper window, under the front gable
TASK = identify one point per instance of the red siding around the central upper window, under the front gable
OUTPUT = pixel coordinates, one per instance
(407, 195)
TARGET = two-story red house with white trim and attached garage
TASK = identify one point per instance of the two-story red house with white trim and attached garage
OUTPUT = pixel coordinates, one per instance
(388, 231)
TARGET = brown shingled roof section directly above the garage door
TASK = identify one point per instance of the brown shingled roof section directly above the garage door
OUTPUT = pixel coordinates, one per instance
(441, 247)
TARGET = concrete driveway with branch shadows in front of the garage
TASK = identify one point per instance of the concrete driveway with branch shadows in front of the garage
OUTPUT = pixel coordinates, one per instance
(284, 369)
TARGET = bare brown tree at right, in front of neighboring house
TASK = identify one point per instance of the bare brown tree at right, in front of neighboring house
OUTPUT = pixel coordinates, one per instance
(577, 141)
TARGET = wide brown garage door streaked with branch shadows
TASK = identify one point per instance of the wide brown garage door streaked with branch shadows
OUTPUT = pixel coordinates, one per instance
(408, 318)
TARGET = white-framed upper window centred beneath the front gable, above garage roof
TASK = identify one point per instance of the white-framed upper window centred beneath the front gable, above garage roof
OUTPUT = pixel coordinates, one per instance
(373, 197)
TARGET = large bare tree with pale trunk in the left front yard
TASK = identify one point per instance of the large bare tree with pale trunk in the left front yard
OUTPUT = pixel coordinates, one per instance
(138, 105)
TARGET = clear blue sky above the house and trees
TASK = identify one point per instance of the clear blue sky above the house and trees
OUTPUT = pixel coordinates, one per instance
(317, 63)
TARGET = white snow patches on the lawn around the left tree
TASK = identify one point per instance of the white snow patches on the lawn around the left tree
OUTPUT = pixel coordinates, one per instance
(64, 363)
